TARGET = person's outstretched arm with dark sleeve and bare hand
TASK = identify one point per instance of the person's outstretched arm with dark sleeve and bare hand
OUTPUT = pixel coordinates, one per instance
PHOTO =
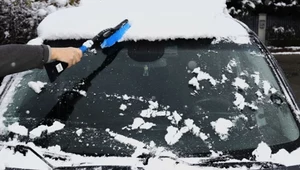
(16, 57)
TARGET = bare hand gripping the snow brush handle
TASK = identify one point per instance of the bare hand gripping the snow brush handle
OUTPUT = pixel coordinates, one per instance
(68, 55)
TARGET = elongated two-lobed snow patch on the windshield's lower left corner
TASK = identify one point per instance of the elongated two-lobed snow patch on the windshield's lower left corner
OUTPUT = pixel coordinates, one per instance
(36, 132)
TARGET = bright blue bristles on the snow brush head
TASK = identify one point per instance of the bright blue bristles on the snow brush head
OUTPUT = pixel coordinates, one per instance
(110, 41)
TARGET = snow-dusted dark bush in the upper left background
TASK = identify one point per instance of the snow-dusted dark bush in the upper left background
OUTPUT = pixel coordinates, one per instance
(20, 18)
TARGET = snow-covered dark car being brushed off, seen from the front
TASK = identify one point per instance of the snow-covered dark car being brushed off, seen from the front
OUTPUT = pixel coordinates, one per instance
(187, 86)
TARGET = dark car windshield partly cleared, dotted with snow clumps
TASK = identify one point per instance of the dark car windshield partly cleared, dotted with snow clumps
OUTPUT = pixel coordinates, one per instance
(188, 96)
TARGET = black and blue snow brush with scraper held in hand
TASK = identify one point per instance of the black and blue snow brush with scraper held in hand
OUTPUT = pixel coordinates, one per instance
(106, 38)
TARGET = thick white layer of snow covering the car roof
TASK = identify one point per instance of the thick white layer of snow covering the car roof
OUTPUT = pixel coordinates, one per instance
(150, 19)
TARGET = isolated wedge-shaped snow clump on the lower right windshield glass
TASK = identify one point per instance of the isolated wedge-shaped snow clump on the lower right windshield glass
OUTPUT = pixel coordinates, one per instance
(222, 127)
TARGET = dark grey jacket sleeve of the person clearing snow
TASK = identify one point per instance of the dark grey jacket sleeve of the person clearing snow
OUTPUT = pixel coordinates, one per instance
(17, 58)
